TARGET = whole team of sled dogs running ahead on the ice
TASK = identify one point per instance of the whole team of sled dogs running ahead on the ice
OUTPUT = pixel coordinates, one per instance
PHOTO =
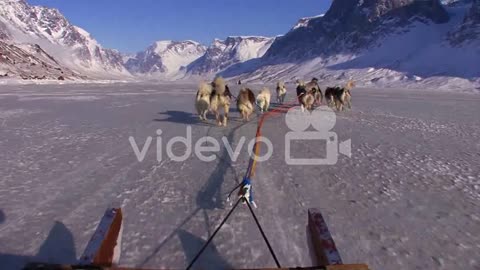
(216, 97)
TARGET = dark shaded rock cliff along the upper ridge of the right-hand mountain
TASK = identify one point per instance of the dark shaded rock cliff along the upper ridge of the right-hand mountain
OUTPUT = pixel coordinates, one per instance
(351, 25)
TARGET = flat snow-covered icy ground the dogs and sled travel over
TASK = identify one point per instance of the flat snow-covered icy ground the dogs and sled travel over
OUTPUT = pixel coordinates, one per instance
(408, 198)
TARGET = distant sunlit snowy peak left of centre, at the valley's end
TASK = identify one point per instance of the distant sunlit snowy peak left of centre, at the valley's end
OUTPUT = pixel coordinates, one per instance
(165, 57)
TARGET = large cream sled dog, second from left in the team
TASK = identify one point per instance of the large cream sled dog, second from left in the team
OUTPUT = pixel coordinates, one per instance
(220, 99)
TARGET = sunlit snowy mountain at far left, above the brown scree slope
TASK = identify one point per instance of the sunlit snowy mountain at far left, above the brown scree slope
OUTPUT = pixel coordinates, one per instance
(69, 44)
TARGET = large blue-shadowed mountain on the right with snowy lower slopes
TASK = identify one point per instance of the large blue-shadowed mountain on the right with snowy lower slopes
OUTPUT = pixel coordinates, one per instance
(381, 42)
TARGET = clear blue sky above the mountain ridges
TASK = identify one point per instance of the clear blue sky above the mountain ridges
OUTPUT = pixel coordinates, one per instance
(132, 25)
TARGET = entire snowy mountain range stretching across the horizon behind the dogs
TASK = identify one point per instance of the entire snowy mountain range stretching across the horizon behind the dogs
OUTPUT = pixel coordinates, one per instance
(411, 42)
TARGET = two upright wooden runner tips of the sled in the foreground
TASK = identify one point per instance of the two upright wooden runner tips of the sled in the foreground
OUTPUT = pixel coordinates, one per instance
(103, 250)
